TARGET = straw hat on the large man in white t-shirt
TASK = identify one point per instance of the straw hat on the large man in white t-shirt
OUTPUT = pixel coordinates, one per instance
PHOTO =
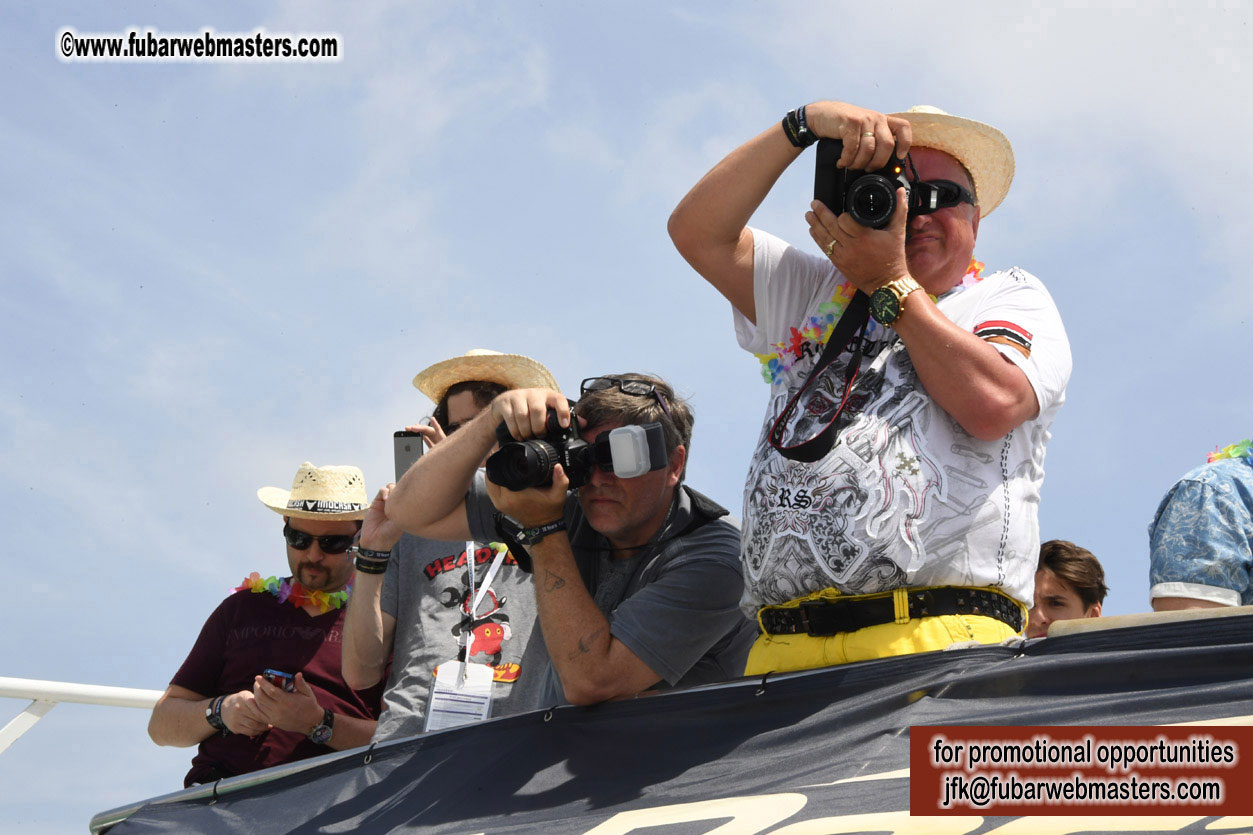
(982, 149)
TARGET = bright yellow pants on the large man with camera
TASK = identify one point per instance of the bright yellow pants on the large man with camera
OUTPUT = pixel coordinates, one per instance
(789, 653)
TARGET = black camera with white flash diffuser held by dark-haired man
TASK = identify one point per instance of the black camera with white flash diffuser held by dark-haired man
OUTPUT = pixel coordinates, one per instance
(627, 452)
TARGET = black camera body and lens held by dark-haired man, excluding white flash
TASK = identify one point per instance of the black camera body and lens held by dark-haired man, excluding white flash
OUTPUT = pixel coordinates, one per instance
(519, 466)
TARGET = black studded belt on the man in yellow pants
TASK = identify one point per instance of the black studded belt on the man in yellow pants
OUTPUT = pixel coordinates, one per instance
(831, 617)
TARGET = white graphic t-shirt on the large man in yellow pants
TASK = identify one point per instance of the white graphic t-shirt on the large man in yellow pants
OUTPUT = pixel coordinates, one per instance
(907, 497)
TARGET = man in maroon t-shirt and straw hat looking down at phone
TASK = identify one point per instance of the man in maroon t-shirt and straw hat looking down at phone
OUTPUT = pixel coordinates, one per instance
(263, 685)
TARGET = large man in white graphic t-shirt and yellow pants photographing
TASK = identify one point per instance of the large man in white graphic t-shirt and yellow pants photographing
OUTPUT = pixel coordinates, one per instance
(892, 503)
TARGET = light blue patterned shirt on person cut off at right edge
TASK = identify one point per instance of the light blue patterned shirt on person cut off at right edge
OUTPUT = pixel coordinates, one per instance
(1201, 541)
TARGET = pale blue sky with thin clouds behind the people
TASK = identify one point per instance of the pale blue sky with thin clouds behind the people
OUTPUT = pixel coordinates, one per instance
(212, 273)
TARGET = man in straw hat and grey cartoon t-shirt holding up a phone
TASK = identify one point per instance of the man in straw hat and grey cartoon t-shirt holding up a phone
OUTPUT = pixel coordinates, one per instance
(415, 601)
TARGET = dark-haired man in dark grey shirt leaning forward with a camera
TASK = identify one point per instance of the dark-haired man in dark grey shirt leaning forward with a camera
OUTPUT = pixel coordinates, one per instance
(637, 576)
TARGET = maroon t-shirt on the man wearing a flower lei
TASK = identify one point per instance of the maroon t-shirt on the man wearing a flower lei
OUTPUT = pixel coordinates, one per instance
(246, 635)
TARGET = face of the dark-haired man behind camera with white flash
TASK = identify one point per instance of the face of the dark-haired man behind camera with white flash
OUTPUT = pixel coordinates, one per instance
(628, 512)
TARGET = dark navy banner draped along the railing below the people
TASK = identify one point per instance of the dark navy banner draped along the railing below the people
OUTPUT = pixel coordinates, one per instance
(769, 757)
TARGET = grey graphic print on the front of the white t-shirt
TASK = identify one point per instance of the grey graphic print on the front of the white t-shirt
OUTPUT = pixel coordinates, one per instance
(858, 520)
